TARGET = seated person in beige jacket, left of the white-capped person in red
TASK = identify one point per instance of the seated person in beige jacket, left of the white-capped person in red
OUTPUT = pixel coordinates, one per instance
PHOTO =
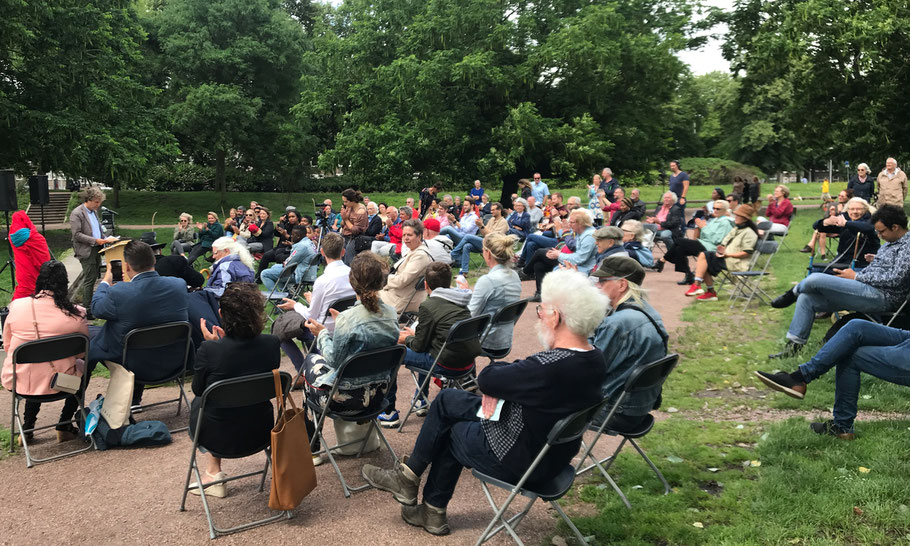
(405, 273)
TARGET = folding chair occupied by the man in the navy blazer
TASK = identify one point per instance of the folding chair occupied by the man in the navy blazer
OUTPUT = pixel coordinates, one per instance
(158, 337)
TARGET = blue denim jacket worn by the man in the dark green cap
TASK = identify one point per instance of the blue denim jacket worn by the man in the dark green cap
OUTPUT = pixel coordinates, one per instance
(628, 340)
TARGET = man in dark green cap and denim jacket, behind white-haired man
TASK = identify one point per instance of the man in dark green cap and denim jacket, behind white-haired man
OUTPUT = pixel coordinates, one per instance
(631, 335)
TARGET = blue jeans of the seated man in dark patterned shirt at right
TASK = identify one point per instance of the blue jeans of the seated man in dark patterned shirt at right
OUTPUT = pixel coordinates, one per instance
(819, 292)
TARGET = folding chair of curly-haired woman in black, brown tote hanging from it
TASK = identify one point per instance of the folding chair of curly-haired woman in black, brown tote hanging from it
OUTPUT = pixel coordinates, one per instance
(234, 393)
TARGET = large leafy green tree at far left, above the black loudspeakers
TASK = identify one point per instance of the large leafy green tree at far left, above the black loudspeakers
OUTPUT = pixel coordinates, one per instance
(71, 92)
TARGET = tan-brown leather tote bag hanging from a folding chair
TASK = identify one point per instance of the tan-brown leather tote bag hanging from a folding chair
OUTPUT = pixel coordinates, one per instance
(293, 473)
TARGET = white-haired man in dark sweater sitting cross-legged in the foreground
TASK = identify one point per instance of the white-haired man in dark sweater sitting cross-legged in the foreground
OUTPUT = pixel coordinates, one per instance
(531, 395)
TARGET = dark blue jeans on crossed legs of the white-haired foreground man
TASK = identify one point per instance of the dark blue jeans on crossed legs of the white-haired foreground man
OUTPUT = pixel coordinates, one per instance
(451, 439)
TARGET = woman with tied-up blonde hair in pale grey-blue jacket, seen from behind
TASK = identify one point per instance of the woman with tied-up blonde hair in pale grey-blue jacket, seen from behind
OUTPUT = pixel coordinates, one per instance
(498, 288)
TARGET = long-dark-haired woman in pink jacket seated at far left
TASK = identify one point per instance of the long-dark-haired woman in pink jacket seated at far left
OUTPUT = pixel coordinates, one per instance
(45, 314)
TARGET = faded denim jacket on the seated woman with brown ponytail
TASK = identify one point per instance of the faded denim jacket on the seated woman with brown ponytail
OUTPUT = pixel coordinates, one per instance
(356, 330)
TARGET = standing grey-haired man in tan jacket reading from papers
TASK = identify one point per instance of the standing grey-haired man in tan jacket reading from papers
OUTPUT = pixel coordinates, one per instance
(88, 239)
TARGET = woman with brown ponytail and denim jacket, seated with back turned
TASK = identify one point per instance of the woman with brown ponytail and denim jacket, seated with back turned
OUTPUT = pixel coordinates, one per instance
(369, 324)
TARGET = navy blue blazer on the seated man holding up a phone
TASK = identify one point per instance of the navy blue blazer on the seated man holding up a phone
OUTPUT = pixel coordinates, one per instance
(147, 300)
